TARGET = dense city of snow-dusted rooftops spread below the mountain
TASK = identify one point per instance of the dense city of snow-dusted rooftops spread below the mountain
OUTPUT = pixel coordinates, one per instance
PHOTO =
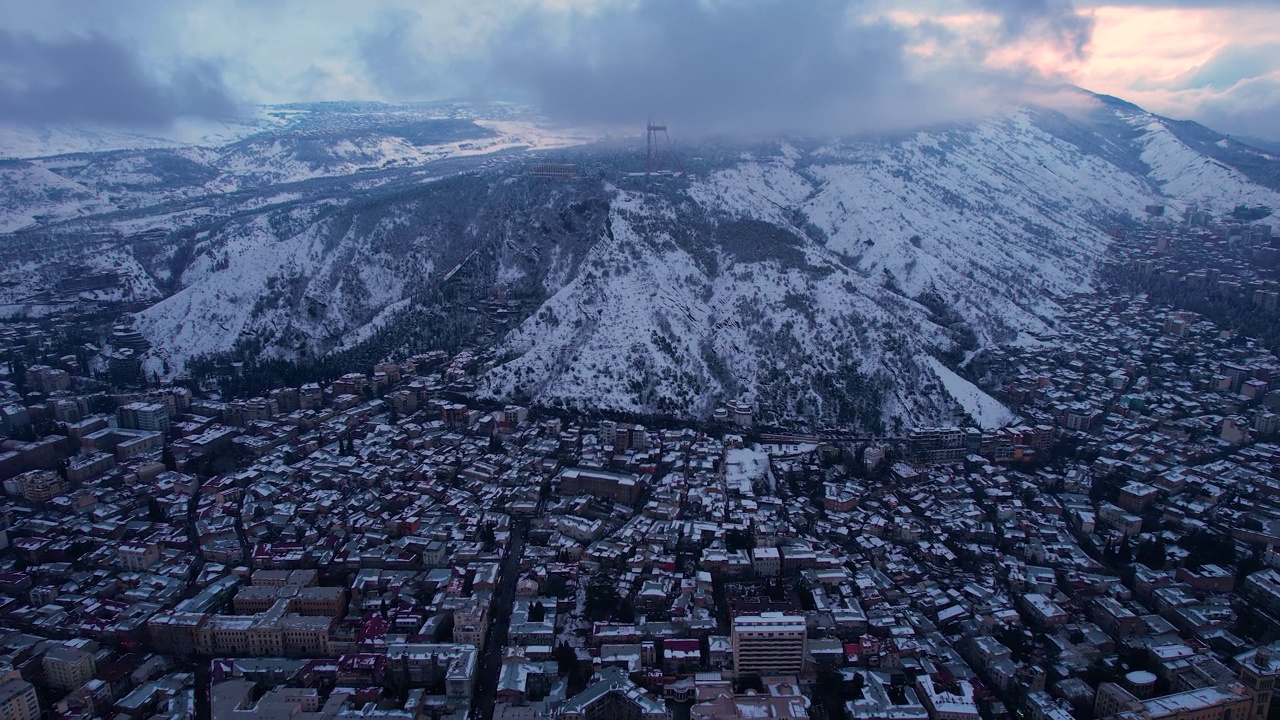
(387, 545)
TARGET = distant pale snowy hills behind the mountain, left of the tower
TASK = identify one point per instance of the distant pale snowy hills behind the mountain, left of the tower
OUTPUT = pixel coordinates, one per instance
(74, 174)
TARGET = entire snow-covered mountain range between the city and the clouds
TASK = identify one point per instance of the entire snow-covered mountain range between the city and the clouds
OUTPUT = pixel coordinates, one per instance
(830, 281)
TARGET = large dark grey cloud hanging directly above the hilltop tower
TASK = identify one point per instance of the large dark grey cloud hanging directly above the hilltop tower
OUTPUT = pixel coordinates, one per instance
(738, 66)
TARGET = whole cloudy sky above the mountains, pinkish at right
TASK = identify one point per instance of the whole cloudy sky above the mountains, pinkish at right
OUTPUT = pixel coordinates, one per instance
(717, 65)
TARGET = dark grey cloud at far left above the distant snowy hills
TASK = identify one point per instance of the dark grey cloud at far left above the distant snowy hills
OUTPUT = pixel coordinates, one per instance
(95, 79)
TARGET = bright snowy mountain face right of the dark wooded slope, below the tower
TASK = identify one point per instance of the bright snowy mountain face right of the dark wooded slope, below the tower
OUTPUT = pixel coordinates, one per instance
(822, 285)
